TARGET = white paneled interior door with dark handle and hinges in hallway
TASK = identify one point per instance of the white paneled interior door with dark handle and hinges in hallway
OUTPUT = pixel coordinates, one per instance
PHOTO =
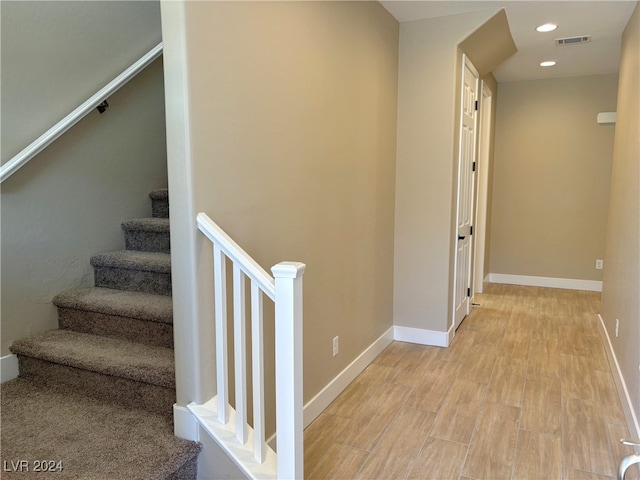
(464, 215)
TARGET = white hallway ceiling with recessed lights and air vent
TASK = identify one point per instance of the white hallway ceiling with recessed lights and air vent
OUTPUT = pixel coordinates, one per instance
(603, 20)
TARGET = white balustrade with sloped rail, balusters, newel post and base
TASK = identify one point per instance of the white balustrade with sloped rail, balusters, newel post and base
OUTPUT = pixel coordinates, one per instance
(245, 445)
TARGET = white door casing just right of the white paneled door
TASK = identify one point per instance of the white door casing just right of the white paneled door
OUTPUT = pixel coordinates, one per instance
(482, 170)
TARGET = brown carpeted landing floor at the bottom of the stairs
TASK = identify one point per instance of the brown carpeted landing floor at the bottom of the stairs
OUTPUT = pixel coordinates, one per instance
(93, 439)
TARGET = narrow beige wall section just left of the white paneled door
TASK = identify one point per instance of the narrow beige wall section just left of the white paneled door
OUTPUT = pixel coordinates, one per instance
(424, 214)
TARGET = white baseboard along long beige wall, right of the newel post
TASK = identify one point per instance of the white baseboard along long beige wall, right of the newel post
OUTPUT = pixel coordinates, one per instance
(328, 394)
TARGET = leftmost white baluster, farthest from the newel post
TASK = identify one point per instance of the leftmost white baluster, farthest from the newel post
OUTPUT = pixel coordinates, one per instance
(220, 298)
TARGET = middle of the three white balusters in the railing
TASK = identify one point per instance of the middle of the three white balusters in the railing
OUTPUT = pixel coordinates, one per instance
(240, 353)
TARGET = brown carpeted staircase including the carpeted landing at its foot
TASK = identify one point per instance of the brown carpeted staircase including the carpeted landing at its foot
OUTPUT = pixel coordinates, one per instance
(94, 398)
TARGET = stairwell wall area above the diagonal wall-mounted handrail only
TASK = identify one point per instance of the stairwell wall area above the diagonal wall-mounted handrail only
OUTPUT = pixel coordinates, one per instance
(56, 54)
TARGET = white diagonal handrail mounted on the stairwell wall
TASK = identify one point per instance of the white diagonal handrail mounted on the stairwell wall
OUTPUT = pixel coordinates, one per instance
(47, 138)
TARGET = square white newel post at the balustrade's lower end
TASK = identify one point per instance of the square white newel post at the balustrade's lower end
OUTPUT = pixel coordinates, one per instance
(288, 323)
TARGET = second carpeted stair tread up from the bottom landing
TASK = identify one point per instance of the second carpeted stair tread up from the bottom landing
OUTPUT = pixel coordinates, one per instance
(140, 305)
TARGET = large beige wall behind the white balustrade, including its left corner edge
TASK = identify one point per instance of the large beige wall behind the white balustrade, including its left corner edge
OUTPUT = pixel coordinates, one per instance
(292, 114)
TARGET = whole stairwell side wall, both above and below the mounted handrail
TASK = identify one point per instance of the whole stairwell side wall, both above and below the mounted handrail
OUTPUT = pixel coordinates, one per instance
(68, 202)
